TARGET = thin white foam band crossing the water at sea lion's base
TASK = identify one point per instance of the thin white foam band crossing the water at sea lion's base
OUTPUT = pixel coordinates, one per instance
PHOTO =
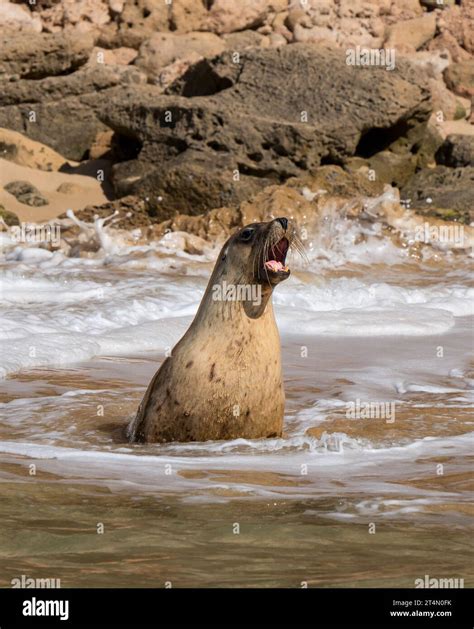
(350, 464)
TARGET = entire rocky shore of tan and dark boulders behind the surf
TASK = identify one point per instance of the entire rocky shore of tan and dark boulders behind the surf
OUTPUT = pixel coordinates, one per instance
(245, 95)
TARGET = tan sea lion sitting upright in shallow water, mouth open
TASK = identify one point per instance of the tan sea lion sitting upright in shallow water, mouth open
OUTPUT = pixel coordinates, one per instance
(223, 379)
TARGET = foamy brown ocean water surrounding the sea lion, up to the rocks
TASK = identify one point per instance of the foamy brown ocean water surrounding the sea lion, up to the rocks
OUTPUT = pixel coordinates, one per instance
(339, 500)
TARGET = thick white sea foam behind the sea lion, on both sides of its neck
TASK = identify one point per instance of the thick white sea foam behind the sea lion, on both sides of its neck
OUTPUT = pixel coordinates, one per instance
(58, 316)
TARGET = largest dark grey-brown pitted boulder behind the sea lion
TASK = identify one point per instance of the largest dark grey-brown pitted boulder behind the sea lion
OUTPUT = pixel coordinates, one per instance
(225, 129)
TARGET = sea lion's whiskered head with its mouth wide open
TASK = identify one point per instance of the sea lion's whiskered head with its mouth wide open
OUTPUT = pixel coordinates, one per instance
(259, 250)
